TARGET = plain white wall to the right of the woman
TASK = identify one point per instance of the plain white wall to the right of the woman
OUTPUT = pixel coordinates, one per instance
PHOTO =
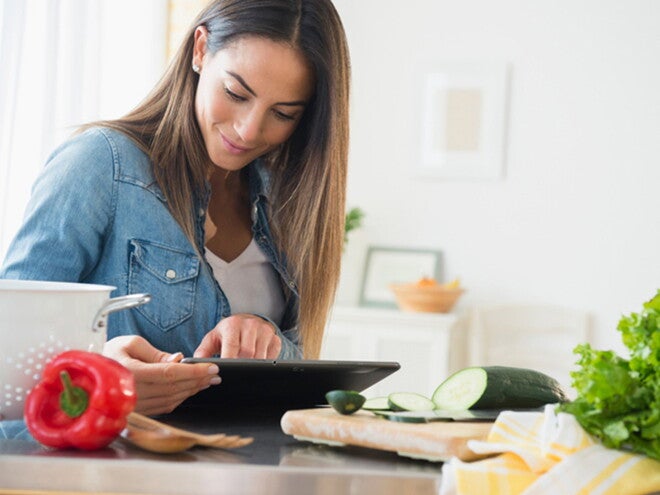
(573, 221)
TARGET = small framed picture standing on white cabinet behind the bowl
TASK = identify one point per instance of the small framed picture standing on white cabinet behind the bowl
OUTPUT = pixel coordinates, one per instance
(389, 265)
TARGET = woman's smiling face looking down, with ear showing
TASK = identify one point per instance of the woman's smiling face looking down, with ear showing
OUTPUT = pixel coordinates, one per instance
(250, 97)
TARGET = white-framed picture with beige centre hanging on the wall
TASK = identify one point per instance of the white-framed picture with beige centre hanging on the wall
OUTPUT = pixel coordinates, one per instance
(462, 120)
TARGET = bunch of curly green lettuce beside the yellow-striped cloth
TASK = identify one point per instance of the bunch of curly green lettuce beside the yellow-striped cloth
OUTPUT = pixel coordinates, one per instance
(618, 400)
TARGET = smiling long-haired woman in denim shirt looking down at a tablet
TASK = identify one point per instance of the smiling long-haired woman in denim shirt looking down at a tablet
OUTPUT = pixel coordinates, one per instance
(222, 195)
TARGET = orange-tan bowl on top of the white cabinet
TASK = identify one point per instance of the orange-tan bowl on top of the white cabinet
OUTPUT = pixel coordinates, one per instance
(425, 297)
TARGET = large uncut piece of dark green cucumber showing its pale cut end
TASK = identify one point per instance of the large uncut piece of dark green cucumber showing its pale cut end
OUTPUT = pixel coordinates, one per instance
(497, 387)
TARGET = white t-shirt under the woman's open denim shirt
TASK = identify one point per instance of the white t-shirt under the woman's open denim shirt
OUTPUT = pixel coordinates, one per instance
(250, 283)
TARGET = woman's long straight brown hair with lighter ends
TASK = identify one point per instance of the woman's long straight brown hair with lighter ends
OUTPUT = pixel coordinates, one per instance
(308, 172)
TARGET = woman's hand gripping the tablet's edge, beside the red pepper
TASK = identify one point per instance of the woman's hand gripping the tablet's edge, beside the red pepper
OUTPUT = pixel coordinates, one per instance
(162, 382)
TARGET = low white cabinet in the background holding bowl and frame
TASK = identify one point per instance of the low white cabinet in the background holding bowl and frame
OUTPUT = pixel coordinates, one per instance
(427, 345)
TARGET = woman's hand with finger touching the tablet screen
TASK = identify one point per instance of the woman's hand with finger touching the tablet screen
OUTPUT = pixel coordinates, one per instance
(241, 336)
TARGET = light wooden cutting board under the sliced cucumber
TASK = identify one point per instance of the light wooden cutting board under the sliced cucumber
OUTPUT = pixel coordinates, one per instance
(437, 441)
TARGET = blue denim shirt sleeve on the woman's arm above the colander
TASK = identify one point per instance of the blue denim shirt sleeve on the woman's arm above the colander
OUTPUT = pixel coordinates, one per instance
(68, 215)
